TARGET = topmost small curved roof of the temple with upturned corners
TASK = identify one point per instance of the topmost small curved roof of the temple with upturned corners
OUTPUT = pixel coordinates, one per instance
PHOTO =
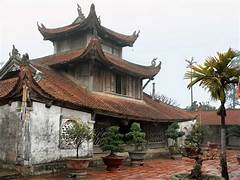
(92, 24)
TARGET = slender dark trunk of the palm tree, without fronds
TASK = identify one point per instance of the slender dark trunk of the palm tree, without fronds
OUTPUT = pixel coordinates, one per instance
(223, 158)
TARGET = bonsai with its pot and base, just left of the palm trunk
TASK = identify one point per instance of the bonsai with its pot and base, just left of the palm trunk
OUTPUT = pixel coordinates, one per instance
(193, 141)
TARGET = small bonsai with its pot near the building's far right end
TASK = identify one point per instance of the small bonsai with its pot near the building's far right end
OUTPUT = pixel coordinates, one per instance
(173, 133)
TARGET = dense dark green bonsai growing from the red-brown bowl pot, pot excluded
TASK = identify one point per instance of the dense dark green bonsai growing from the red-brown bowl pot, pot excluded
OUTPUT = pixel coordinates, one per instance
(112, 140)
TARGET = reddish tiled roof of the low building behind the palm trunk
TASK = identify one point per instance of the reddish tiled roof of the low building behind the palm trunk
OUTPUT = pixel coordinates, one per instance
(211, 117)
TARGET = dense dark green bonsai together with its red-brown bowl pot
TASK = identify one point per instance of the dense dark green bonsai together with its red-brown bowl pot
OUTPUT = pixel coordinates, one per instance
(112, 141)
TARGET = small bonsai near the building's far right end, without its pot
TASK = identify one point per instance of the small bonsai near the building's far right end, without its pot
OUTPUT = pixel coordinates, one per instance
(173, 133)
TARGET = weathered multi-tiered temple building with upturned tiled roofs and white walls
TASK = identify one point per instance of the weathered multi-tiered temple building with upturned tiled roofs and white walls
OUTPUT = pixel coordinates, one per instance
(85, 80)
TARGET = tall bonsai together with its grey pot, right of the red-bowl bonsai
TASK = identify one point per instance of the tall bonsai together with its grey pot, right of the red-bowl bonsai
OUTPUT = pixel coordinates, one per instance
(137, 138)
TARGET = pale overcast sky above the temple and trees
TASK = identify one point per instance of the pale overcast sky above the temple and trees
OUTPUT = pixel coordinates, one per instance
(172, 30)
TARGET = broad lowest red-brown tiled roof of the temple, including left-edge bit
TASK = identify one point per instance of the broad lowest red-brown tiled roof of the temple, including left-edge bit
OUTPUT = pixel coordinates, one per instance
(66, 93)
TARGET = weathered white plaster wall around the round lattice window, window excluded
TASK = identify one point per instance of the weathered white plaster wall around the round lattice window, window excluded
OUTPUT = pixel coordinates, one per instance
(45, 133)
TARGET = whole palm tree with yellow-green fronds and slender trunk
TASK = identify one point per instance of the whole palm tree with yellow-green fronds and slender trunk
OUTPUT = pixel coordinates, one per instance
(216, 76)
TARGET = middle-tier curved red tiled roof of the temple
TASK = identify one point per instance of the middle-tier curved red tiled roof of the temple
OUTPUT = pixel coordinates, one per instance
(103, 57)
